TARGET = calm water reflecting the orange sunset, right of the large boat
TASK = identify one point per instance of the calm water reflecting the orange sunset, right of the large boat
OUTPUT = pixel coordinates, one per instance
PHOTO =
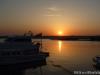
(66, 57)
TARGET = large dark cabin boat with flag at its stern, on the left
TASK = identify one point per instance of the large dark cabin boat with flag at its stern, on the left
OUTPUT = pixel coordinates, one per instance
(20, 50)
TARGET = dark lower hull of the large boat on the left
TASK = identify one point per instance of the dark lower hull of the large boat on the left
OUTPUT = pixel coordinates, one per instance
(9, 60)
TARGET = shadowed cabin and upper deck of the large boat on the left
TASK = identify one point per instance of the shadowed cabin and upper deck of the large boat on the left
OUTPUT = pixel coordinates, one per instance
(19, 46)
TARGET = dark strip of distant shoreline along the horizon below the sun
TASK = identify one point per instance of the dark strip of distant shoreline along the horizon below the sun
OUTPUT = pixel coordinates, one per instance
(66, 38)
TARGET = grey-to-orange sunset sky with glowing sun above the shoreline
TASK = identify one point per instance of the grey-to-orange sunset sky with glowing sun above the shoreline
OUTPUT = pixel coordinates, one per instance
(51, 17)
